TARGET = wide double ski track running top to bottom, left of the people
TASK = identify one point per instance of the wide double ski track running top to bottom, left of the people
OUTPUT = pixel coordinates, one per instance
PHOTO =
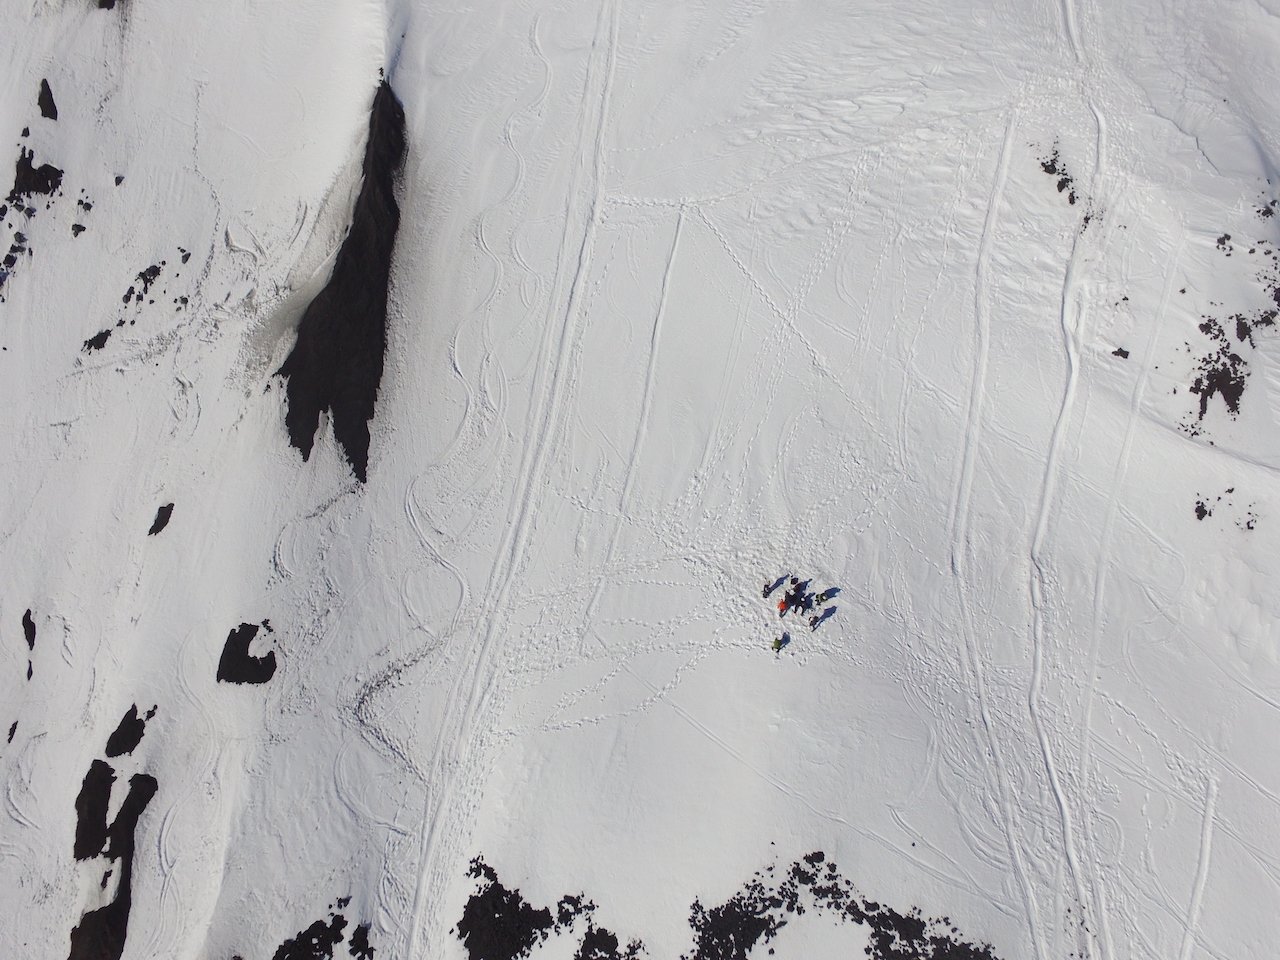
(550, 401)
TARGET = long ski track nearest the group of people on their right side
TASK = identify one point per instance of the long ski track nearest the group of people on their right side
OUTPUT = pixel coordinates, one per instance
(959, 551)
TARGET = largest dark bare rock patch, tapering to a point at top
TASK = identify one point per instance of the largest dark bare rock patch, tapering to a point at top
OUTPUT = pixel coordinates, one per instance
(337, 363)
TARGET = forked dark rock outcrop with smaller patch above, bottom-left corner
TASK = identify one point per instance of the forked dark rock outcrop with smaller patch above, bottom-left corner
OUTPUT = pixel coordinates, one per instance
(102, 934)
